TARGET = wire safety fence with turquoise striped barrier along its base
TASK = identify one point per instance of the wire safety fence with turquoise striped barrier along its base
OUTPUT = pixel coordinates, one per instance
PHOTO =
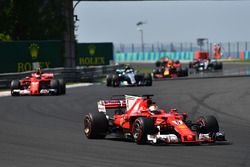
(180, 51)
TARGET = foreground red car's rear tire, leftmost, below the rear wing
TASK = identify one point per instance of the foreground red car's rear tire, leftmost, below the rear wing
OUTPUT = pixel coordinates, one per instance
(95, 125)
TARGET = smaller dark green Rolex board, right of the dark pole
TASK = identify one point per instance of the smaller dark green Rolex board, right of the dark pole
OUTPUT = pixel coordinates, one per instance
(93, 54)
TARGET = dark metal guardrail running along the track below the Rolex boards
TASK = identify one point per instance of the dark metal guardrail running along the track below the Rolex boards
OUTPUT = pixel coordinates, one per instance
(79, 74)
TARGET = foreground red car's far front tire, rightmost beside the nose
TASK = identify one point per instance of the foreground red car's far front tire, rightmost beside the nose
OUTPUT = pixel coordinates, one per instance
(208, 124)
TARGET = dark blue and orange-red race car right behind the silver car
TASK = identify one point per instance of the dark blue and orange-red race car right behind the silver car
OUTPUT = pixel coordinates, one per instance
(167, 68)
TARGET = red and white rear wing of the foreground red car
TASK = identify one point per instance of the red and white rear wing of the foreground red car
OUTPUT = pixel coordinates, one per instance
(103, 105)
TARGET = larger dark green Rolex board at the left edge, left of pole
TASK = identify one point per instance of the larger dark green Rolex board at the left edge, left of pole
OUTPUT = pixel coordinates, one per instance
(20, 56)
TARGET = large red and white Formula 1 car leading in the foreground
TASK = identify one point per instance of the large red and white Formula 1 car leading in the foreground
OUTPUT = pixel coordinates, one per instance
(138, 118)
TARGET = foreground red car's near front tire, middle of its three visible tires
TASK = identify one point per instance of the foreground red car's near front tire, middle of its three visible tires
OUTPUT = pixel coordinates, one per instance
(143, 126)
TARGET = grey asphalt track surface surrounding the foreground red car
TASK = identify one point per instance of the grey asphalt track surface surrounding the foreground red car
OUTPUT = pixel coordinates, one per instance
(47, 131)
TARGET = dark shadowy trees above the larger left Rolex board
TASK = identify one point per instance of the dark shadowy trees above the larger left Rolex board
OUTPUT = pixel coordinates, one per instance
(32, 20)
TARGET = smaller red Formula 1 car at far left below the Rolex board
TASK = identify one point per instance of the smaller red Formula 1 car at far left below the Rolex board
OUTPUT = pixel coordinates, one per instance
(38, 84)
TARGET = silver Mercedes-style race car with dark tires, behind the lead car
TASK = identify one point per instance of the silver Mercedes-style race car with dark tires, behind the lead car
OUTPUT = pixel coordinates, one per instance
(128, 77)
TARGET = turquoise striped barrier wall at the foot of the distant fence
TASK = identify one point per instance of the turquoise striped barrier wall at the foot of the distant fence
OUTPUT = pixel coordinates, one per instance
(152, 56)
